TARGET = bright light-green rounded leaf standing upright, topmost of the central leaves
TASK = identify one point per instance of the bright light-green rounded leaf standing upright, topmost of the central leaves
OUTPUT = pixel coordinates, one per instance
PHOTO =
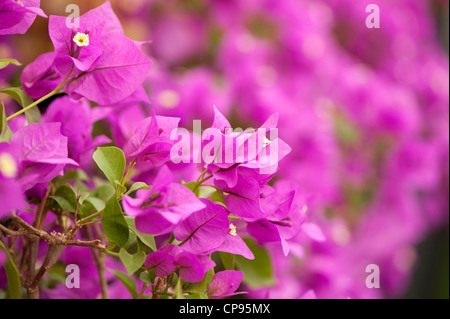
(111, 161)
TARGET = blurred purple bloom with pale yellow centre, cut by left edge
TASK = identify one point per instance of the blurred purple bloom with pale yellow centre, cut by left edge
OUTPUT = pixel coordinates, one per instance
(11, 195)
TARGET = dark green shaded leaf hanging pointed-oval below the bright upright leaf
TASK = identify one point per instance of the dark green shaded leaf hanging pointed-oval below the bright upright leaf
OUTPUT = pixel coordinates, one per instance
(113, 222)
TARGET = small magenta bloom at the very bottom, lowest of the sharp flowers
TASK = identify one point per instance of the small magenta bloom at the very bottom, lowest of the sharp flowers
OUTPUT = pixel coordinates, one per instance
(224, 284)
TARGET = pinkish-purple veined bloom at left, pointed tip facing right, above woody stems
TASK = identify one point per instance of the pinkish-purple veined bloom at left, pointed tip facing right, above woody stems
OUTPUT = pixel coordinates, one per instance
(42, 153)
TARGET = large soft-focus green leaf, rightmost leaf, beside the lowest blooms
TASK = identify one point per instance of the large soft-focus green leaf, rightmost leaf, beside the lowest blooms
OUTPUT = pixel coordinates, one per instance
(257, 272)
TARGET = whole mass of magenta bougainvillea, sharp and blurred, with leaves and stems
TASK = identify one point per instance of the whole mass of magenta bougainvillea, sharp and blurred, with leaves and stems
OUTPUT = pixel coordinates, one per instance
(103, 166)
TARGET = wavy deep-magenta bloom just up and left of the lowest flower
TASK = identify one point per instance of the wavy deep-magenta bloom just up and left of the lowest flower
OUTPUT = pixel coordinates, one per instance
(171, 257)
